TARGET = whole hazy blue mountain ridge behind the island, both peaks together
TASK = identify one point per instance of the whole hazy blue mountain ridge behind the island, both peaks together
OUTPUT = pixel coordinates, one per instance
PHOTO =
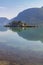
(33, 16)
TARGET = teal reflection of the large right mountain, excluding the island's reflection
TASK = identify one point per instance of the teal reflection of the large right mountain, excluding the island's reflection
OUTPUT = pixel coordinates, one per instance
(32, 34)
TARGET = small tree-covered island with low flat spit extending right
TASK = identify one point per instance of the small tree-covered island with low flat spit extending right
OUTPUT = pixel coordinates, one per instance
(19, 24)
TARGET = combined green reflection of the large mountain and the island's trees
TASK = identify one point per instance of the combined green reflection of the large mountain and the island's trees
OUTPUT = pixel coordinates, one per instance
(34, 34)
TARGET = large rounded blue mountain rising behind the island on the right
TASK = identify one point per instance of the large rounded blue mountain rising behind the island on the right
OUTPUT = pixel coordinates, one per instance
(30, 16)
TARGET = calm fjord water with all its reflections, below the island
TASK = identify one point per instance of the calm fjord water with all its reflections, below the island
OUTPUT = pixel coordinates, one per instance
(22, 46)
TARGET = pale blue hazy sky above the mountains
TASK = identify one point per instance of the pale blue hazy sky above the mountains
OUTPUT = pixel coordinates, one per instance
(10, 8)
